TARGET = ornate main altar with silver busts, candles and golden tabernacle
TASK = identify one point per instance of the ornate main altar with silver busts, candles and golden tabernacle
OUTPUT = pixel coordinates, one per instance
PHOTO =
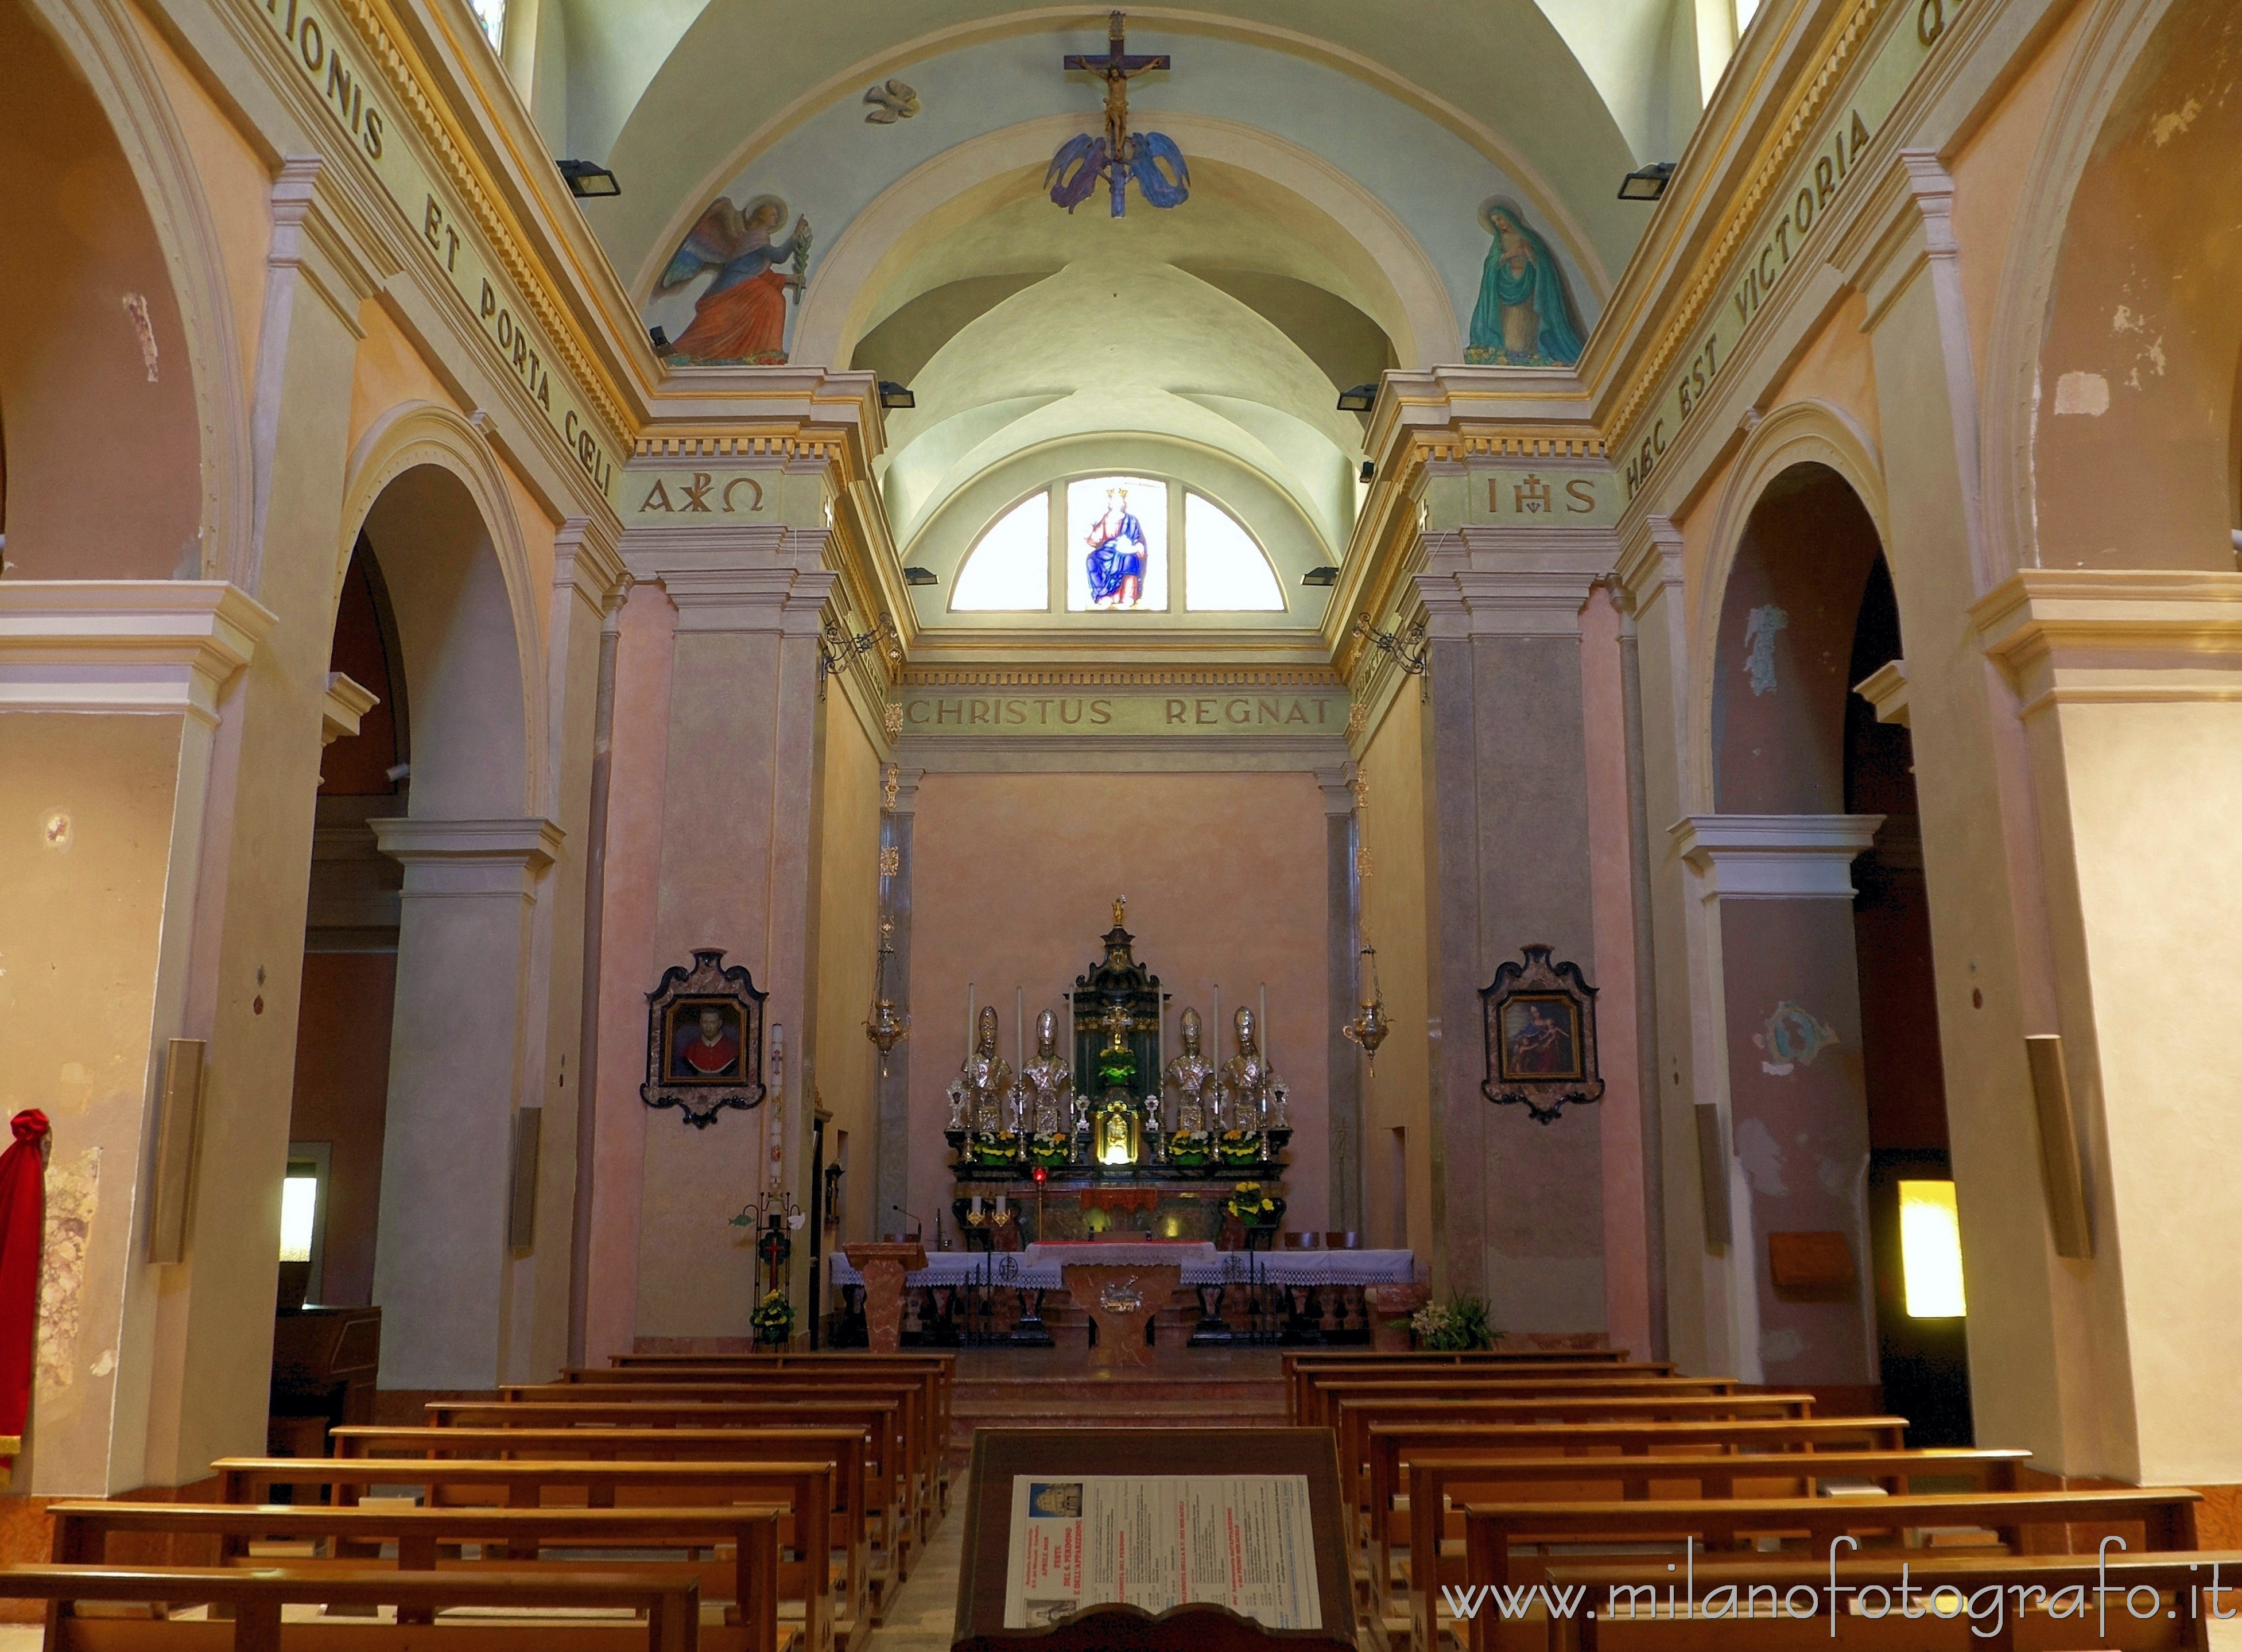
(1118, 1133)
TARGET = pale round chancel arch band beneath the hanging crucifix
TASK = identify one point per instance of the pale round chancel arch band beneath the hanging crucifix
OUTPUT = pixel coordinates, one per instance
(1398, 279)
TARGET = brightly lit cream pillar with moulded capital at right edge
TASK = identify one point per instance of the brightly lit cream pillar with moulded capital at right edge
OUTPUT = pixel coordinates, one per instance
(2129, 698)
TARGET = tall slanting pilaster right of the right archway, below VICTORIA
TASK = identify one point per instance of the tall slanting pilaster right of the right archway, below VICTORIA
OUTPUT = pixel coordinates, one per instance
(1988, 864)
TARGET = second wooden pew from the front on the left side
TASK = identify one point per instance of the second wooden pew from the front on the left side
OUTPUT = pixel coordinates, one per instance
(355, 1537)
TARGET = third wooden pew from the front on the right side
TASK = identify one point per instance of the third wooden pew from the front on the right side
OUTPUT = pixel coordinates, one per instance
(1432, 1528)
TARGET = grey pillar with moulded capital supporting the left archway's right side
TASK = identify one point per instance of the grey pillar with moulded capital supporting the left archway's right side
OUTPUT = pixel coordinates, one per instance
(458, 1055)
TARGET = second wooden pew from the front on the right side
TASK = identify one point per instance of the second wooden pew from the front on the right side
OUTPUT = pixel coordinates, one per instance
(1497, 1534)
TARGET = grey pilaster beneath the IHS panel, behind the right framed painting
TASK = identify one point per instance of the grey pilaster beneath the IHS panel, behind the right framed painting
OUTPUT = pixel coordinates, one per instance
(1523, 1203)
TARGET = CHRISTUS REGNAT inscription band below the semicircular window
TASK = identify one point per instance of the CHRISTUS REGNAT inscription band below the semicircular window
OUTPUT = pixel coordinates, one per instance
(932, 712)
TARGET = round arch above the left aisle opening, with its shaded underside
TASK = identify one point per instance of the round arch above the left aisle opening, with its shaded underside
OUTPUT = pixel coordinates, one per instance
(418, 438)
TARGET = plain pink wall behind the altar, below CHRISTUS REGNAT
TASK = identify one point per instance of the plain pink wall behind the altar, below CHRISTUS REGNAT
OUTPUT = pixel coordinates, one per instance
(1015, 880)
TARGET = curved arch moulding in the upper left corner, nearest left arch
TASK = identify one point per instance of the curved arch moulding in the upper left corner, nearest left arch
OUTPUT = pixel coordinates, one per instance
(104, 46)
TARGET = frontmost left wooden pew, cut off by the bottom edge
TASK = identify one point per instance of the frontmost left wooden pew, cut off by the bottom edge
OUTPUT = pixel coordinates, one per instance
(254, 1599)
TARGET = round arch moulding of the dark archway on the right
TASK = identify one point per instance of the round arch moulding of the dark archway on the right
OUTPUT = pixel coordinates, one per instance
(1797, 434)
